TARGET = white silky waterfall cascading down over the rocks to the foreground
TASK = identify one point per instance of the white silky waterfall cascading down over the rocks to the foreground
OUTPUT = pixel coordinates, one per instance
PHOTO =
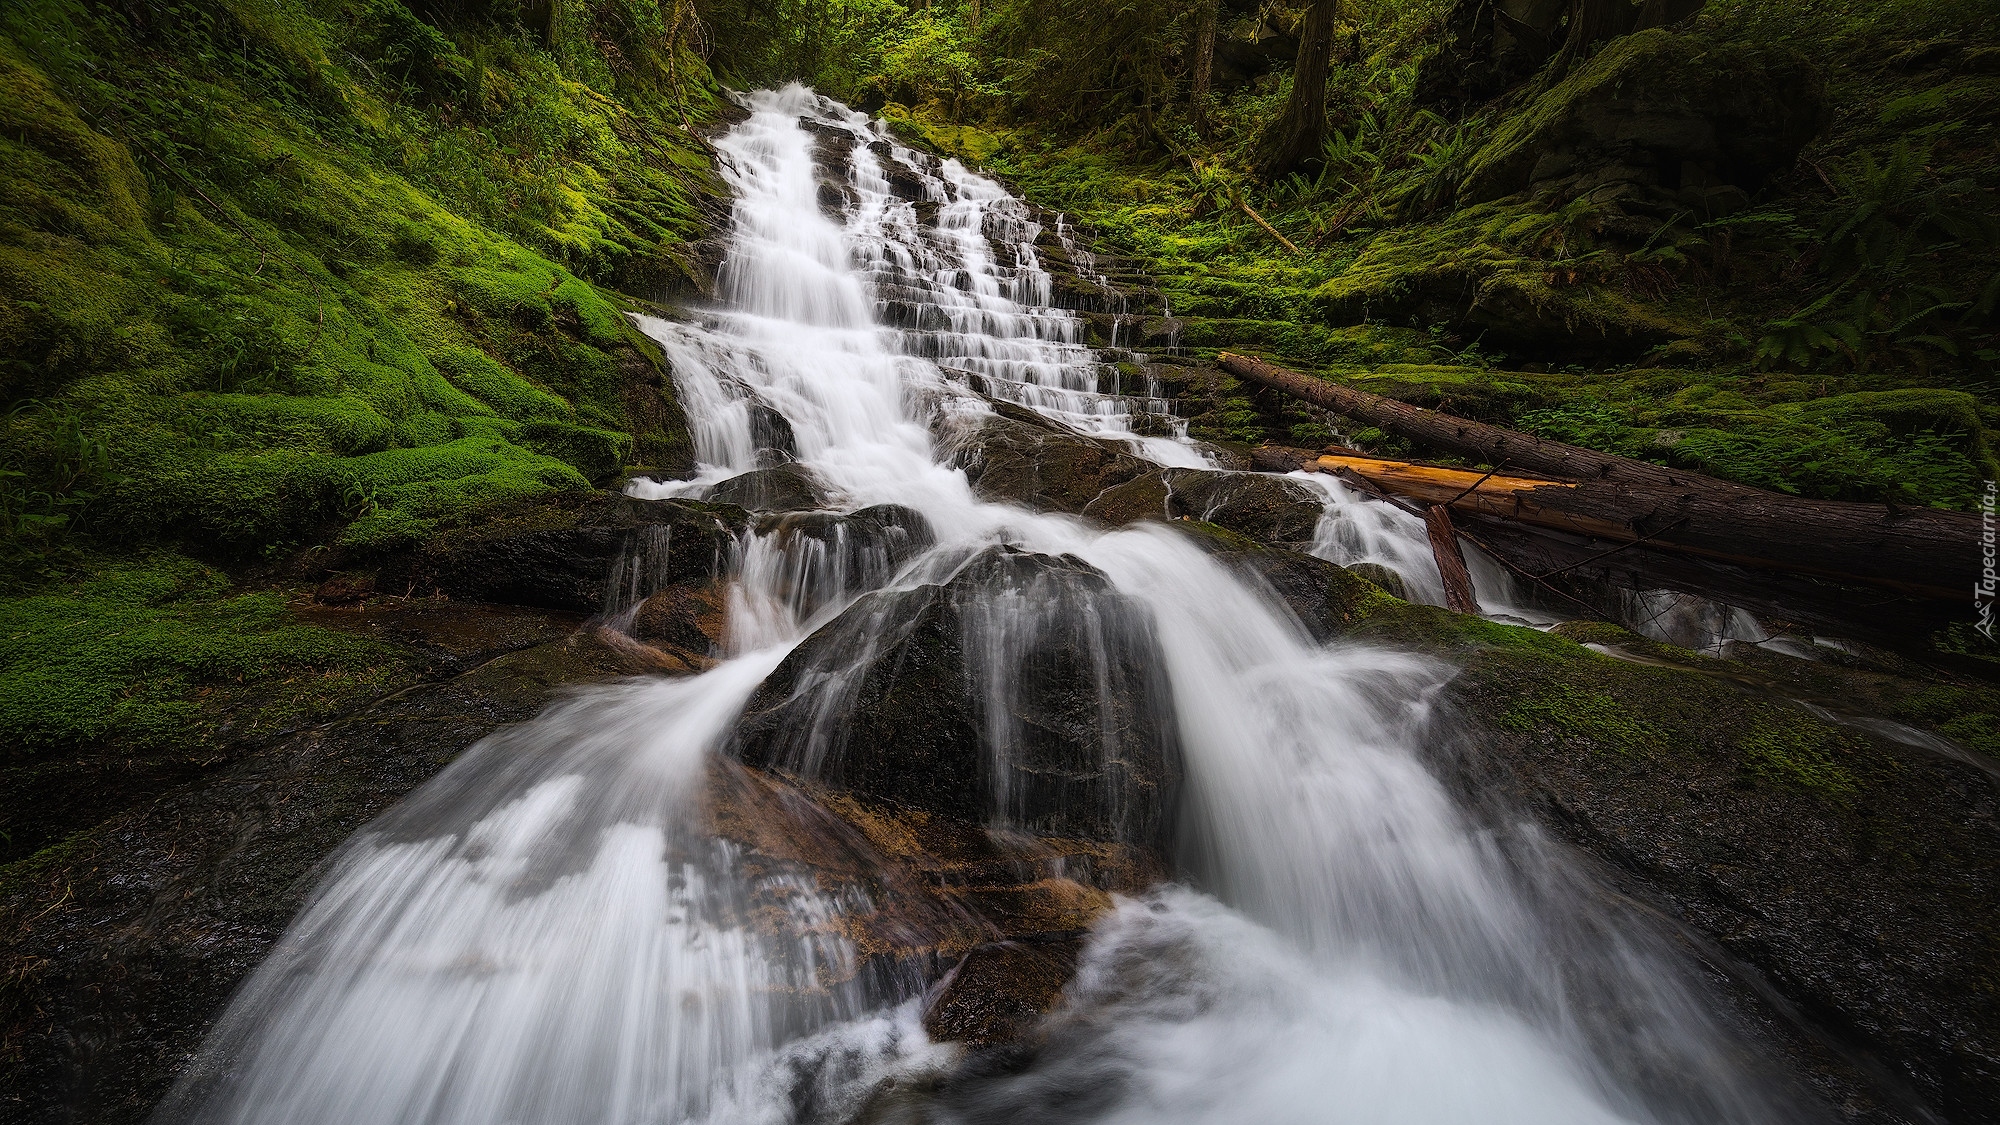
(543, 936)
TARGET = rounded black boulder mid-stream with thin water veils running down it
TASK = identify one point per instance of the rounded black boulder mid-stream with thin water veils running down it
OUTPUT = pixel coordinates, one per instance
(899, 702)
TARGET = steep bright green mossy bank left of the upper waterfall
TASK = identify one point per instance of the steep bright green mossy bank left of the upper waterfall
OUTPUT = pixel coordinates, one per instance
(287, 271)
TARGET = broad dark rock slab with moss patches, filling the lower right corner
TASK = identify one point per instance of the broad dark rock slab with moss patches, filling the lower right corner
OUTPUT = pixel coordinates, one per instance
(1847, 874)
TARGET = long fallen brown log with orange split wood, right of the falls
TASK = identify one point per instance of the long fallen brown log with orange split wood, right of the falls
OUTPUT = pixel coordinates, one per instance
(1919, 551)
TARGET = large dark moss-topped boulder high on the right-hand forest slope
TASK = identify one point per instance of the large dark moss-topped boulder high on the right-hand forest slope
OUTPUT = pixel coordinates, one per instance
(1663, 117)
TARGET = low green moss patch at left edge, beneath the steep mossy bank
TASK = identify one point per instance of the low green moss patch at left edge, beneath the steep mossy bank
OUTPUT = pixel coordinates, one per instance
(149, 670)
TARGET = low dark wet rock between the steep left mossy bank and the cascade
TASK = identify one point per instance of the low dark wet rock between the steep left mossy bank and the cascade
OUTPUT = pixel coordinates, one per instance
(561, 555)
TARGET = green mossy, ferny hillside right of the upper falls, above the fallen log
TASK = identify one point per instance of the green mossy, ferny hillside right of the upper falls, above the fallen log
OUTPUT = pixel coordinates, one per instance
(1831, 337)
